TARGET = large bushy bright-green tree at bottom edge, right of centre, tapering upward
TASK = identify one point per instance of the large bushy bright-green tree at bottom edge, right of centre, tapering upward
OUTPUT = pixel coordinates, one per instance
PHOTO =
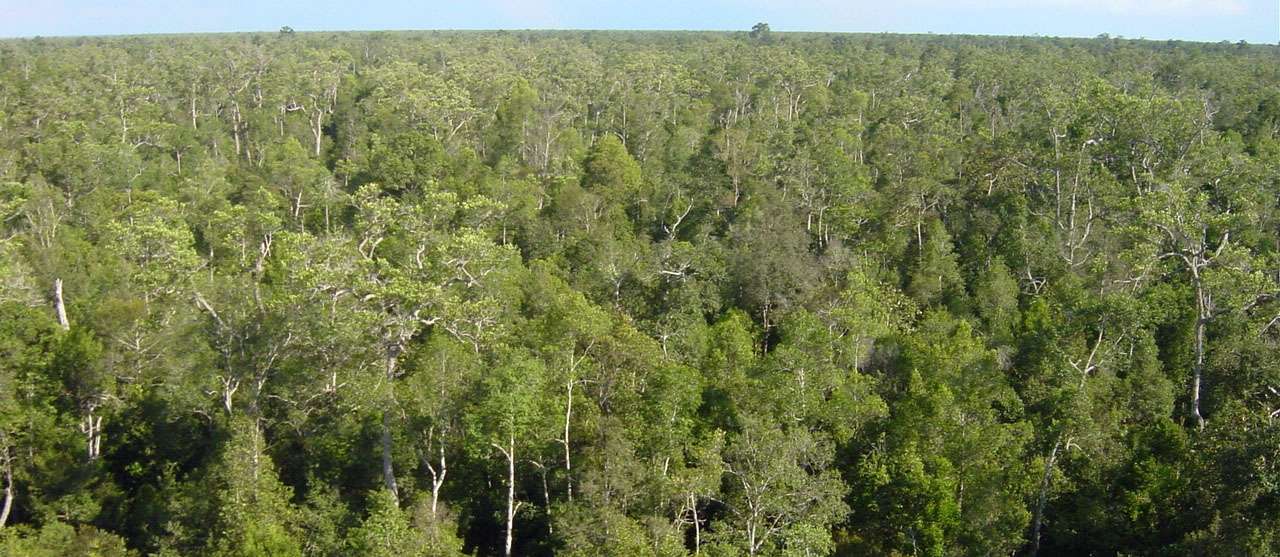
(945, 473)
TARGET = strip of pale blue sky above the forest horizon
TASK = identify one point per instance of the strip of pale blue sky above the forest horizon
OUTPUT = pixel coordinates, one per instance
(1255, 21)
